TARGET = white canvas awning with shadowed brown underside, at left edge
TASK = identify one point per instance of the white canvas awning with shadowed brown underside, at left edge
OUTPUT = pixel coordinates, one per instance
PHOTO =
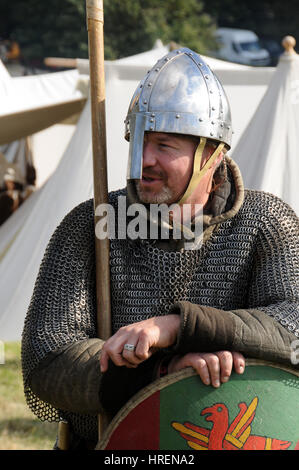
(32, 103)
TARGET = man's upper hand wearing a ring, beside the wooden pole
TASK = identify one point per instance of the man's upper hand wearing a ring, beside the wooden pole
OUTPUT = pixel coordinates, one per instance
(146, 336)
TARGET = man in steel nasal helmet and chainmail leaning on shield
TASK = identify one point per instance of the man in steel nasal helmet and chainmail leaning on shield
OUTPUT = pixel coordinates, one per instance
(234, 295)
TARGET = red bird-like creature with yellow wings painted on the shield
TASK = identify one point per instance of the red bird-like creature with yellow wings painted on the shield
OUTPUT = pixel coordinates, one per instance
(225, 436)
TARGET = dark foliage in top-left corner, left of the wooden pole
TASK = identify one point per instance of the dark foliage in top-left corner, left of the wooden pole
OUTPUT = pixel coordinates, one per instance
(55, 28)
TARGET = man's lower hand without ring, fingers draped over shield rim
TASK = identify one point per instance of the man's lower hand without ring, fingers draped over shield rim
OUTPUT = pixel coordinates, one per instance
(213, 368)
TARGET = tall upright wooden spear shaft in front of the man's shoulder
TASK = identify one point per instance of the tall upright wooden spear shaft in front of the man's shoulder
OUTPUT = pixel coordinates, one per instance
(95, 27)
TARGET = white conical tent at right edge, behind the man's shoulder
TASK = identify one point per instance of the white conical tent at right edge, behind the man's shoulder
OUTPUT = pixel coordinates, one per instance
(267, 151)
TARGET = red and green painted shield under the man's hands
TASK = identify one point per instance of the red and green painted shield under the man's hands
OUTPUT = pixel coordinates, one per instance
(254, 411)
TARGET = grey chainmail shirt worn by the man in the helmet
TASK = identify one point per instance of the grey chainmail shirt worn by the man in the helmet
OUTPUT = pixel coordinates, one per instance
(250, 261)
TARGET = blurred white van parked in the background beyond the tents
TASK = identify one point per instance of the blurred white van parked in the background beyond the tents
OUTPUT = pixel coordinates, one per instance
(241, 46)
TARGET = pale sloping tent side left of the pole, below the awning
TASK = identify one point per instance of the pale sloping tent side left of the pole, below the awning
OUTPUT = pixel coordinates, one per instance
(24, 236)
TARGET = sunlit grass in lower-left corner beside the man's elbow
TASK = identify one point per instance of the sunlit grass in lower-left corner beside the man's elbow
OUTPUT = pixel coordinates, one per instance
(19, 428)
